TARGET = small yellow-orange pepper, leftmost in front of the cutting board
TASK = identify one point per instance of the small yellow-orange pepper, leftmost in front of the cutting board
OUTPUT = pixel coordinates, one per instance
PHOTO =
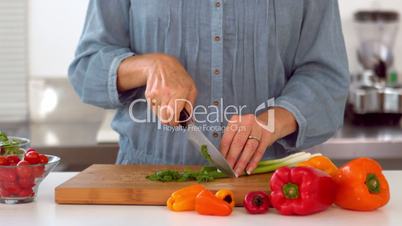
(184, 199)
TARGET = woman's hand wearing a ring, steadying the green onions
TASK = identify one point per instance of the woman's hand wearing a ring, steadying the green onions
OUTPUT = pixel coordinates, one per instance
(245, 138)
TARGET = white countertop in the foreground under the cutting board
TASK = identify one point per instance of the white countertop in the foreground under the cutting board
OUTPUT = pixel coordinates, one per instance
(44, 211)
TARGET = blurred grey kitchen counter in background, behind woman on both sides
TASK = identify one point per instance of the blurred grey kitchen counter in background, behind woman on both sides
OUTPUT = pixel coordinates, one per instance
(69, 140)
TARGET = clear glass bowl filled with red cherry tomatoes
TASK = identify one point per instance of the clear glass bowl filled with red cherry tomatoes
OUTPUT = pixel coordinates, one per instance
(20, 177)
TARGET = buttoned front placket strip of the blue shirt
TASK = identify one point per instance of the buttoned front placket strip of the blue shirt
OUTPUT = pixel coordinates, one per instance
(216, 64)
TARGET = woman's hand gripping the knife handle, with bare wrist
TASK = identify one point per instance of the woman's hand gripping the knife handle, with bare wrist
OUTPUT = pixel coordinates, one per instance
(169, 88)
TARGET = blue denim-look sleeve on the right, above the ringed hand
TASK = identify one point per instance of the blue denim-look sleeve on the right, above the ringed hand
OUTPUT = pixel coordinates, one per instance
(317, 90)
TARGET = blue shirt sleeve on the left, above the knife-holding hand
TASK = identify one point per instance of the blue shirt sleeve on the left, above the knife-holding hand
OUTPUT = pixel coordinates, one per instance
(104, 44)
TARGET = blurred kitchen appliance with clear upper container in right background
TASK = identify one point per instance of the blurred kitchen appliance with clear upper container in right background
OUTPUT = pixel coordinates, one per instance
(375, 91)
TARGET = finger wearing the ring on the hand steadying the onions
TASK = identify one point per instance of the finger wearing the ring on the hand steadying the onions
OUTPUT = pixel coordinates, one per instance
(248, 151)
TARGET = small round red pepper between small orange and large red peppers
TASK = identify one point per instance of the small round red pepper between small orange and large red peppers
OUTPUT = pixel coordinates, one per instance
(256, 202)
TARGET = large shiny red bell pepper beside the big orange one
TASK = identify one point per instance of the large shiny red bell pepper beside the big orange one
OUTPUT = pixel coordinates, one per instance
(301, 190)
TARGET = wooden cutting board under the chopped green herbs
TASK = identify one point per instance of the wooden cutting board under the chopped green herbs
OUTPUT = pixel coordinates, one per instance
(126, 184)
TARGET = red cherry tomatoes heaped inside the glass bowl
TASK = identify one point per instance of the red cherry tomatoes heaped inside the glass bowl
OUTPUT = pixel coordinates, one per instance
(17, 176)
